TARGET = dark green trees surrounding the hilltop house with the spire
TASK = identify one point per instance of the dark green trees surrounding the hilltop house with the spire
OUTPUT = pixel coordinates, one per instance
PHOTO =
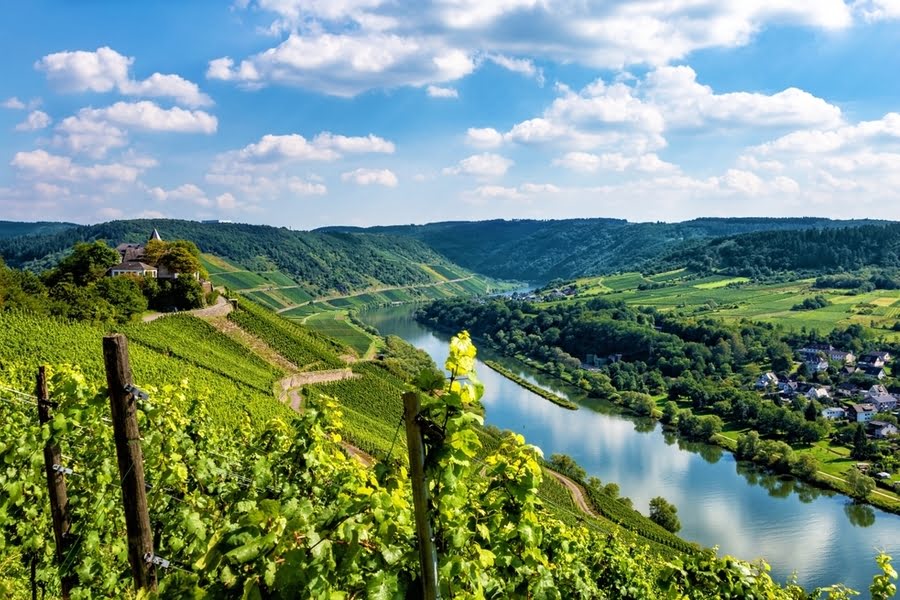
(78, 288)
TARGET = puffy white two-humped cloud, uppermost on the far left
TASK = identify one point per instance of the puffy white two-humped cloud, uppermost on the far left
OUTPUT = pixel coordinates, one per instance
(105, 70)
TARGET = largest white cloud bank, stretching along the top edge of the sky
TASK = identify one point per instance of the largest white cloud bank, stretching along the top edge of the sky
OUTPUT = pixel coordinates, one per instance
(350, 46)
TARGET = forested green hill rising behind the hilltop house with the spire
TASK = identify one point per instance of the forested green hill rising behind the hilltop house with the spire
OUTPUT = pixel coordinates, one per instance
(324, 262)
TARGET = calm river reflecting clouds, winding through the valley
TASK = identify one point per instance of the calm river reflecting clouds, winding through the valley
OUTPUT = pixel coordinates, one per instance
(821, 536)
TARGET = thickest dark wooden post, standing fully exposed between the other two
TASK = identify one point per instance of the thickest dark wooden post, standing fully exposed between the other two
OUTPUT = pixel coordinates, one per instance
(123, 403)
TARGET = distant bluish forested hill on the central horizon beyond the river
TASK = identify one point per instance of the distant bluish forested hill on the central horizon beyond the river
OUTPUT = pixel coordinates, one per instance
(543, 250)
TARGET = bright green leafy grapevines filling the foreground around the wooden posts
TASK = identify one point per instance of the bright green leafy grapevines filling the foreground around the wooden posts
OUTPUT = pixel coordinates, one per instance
(254, 507)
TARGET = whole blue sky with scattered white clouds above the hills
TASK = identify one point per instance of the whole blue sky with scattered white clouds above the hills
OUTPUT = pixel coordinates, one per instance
(304, 113)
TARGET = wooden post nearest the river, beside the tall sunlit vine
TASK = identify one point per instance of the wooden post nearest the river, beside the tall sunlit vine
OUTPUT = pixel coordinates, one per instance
(424, 535)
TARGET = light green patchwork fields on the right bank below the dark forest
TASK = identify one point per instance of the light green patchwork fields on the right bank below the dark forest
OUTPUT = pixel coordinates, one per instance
(735, 298)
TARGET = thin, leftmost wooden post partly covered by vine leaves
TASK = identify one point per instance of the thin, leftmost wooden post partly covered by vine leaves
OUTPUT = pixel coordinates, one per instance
(56, 484)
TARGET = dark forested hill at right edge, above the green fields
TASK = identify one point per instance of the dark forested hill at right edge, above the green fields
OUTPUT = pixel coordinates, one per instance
(811, 251)
